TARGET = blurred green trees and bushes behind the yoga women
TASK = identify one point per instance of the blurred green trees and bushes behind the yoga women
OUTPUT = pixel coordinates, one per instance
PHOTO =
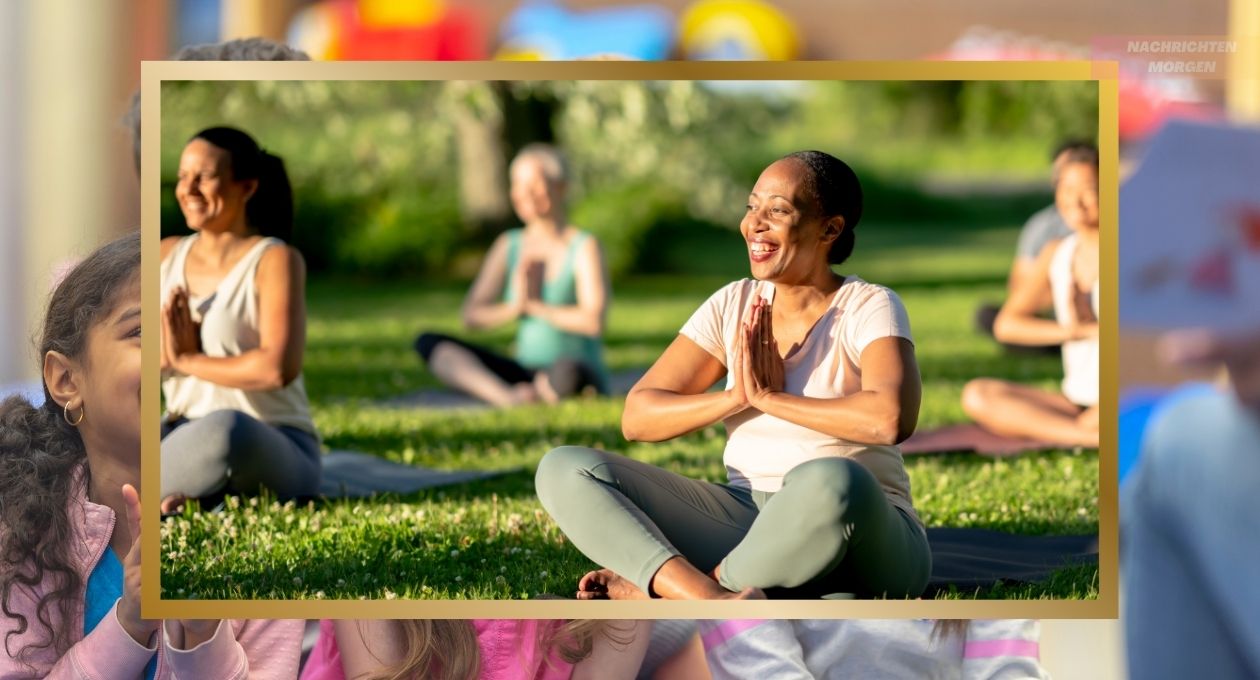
(656, 164)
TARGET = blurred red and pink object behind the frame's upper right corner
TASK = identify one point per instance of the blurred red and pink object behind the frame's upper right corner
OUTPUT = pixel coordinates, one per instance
(1146, 103)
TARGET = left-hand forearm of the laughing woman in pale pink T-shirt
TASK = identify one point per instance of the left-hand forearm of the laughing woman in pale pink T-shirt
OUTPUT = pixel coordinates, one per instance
(658, 415)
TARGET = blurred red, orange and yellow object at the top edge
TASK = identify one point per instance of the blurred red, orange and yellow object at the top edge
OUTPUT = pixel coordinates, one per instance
(389, 31)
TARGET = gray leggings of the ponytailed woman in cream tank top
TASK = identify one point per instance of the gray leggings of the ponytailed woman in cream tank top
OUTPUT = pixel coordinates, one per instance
(232, 451)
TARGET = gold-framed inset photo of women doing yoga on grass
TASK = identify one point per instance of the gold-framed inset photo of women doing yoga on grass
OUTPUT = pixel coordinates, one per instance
(455, 341)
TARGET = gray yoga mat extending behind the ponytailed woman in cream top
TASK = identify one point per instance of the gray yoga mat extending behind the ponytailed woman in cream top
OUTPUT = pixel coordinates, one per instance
(353, 475)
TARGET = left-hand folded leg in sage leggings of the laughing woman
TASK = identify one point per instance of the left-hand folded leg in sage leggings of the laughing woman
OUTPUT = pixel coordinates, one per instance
(632, 518)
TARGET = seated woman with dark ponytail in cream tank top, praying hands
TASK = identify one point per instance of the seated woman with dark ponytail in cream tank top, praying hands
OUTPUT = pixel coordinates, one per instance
(234, 331)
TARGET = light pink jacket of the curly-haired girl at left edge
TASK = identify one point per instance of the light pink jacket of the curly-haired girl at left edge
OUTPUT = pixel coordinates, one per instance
(256, 650)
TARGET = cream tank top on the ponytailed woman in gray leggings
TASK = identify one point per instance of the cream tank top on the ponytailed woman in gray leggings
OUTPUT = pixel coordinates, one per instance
(230, 328)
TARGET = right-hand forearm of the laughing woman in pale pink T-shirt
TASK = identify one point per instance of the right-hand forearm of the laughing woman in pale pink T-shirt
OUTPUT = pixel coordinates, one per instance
(864, 417)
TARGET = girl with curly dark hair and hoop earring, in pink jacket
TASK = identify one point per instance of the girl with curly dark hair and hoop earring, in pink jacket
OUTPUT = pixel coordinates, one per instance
(70, 509)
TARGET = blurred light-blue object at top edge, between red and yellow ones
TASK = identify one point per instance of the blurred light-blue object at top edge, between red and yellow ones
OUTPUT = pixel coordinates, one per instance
(546, 31)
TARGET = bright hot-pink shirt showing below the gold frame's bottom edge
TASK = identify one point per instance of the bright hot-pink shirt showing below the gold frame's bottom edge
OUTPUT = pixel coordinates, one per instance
(510, 652)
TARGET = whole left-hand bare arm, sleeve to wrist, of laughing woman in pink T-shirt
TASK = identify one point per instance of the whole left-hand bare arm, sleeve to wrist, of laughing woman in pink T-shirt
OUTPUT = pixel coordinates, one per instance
(670, 401)
